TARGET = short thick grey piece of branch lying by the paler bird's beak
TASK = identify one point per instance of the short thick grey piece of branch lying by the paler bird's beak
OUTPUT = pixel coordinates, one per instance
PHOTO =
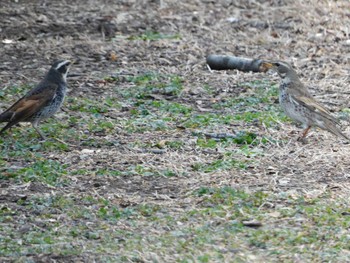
(219, 62)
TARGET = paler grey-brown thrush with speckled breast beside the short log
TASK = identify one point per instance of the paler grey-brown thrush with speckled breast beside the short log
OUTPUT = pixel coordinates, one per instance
(297, 102)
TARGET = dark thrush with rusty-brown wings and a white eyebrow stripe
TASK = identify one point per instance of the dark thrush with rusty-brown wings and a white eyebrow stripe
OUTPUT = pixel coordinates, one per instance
(41, 102)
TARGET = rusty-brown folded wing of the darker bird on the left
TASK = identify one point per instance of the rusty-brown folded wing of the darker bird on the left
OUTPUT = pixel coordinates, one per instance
(28, 105)
